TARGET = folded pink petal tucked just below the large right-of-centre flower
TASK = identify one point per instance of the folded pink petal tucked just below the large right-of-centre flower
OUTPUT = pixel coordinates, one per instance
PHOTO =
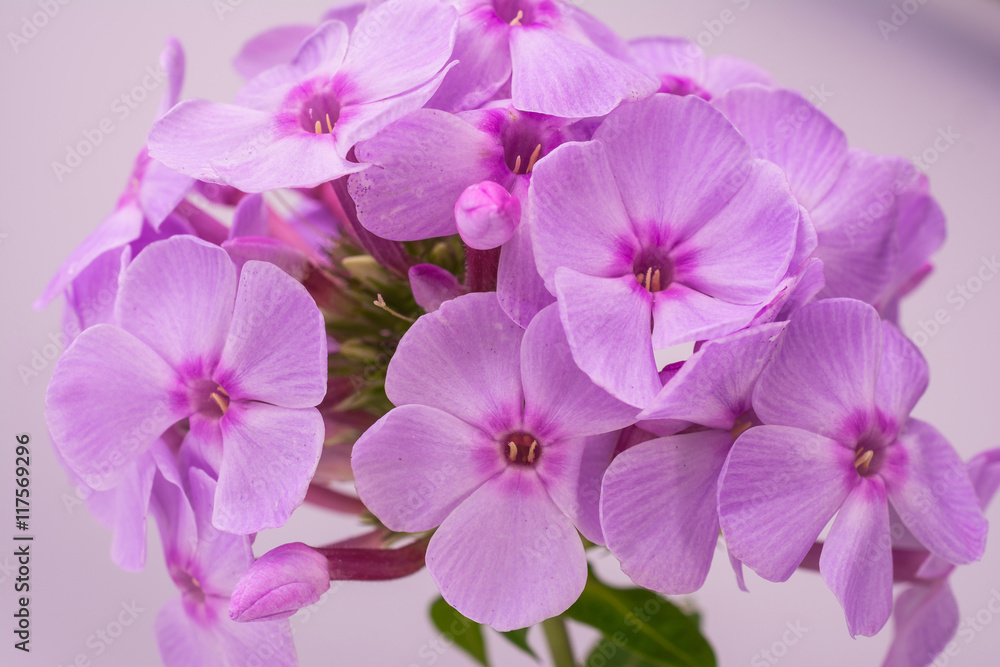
(715, 385)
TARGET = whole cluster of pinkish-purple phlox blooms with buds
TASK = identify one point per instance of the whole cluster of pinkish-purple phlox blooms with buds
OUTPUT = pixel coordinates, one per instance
(433, 247)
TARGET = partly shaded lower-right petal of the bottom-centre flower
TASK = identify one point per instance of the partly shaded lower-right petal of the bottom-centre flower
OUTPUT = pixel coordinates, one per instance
(571, 471)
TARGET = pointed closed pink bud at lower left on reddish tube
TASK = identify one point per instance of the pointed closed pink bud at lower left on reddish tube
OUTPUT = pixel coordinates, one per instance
(279, 583)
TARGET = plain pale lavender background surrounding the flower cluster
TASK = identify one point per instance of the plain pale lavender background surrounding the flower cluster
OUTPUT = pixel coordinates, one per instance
(940, 70)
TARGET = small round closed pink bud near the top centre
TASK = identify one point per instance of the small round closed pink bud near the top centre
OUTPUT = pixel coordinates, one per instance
(487, 215)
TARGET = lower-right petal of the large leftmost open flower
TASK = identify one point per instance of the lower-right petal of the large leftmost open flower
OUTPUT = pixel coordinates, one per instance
(269, 457)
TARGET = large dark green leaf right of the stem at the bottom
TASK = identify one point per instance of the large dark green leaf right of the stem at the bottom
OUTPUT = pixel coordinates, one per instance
(644, 623)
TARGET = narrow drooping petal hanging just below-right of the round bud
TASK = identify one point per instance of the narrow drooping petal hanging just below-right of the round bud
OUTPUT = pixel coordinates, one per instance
(520, 288)
